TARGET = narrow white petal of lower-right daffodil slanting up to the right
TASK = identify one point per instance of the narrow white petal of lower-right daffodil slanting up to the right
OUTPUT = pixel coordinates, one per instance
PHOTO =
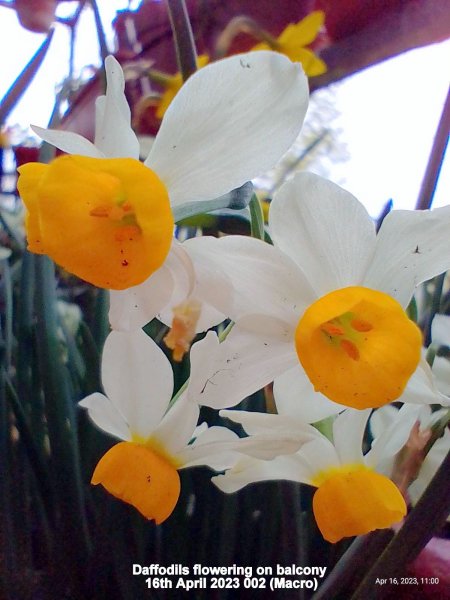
(394, 437)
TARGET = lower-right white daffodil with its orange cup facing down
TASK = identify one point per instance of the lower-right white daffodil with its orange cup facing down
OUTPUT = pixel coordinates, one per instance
(352, 498)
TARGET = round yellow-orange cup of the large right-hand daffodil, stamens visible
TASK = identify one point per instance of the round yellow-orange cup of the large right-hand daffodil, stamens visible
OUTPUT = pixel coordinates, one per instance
(358, 347)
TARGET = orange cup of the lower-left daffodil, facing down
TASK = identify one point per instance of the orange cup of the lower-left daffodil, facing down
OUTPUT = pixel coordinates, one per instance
(140, 476)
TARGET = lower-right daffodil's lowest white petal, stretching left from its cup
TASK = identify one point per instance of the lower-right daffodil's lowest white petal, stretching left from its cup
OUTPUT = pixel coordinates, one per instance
(251, 470)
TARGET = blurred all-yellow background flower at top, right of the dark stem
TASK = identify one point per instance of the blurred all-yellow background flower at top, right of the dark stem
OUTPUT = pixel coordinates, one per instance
(293, 39)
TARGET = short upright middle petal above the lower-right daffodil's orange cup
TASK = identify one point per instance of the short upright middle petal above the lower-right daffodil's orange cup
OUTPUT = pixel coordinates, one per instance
(348, 433)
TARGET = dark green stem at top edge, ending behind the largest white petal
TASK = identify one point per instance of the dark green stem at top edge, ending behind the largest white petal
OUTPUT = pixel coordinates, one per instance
(183, 37)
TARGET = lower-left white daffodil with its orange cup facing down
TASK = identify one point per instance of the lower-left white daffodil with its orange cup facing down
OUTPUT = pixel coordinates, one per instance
(157, 438)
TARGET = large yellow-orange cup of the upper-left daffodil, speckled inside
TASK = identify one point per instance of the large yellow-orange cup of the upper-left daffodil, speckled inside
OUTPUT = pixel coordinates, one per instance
(107, 221)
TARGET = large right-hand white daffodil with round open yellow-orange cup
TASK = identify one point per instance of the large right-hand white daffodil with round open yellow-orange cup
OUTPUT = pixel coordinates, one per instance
(326, 302)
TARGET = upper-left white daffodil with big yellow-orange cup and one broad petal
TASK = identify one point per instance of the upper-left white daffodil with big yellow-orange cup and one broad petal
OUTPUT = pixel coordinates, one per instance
(107, 218)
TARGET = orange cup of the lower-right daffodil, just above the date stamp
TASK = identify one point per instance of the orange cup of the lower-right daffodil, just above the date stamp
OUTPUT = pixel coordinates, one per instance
(353, 500)
